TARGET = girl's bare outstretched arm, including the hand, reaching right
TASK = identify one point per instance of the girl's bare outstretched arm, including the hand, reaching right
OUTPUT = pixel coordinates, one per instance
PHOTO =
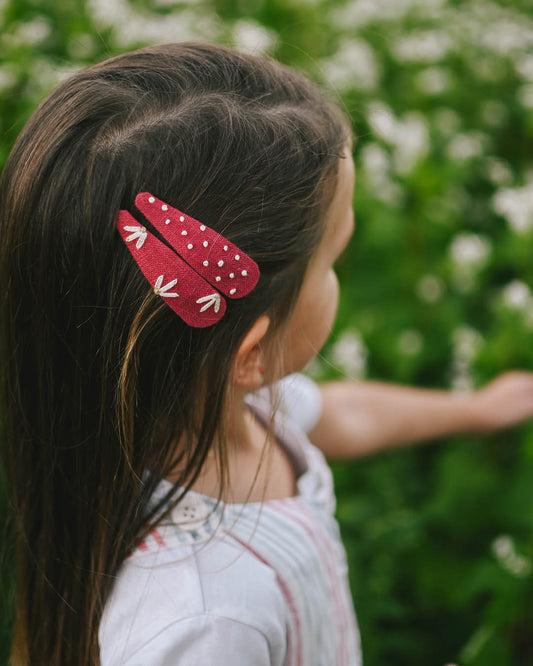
(360, 418)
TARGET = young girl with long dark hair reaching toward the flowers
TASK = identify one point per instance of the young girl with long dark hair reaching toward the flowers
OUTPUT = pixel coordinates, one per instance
(170, 220)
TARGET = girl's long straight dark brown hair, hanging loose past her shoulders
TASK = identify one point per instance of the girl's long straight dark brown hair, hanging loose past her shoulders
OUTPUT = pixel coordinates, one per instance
(99, 378)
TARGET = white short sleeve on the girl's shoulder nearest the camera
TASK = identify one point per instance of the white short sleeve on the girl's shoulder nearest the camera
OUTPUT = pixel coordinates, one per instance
(176, 598)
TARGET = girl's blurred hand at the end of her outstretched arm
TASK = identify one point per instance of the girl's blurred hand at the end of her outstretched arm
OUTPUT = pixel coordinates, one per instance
(505, 401)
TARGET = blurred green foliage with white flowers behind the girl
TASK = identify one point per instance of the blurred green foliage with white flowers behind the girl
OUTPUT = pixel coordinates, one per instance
(435, 283)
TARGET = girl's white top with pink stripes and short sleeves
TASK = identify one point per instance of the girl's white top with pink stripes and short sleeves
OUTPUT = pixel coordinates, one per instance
(256, 584)
